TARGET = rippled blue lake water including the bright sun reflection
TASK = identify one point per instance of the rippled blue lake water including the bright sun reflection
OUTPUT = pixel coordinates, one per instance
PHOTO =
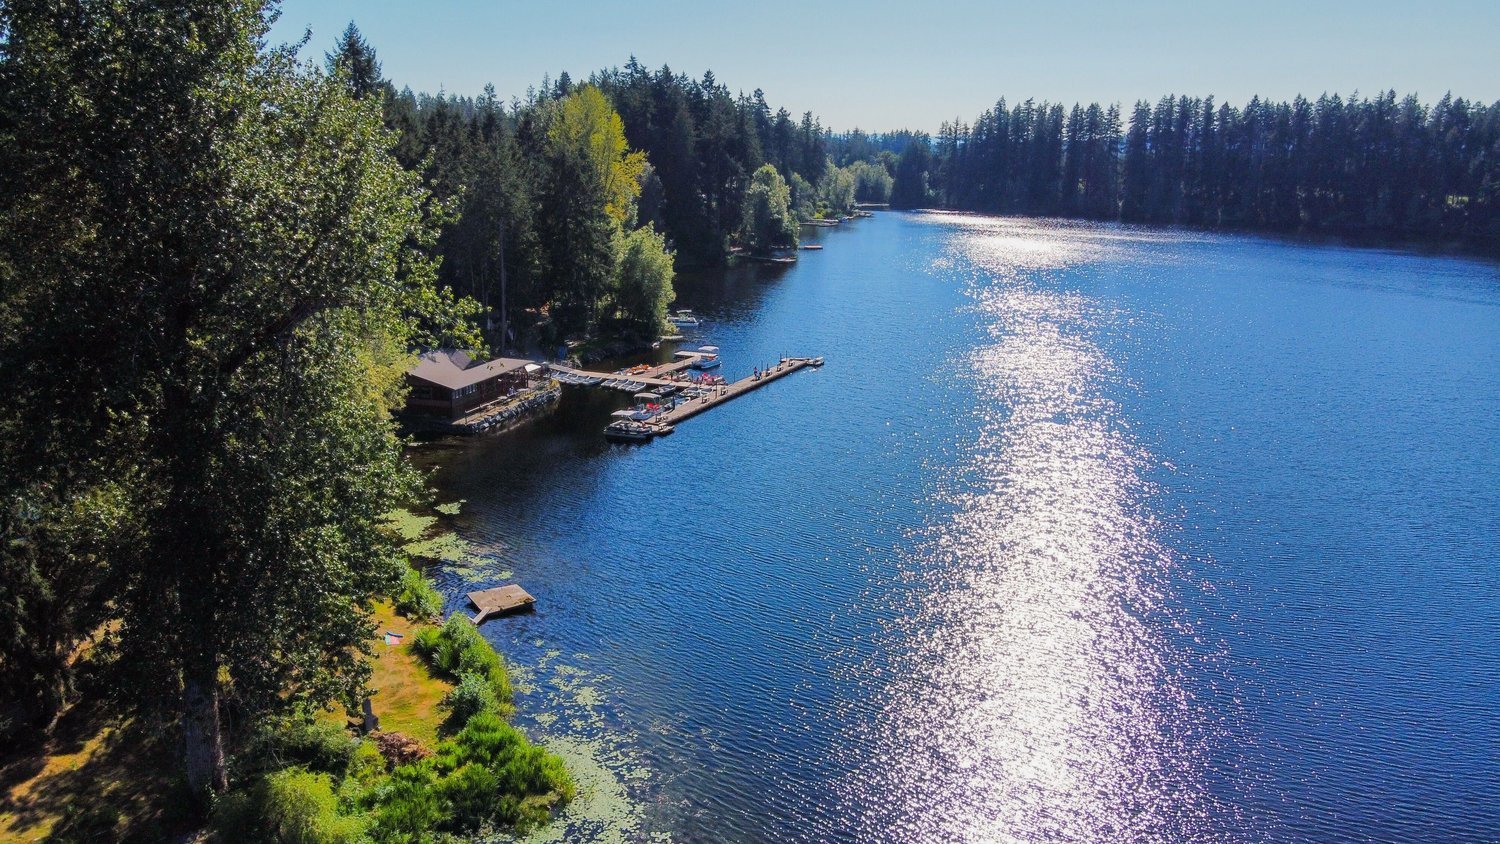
(1084, 534)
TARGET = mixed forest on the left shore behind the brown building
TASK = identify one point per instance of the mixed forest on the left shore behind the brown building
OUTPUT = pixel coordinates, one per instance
(710, 173)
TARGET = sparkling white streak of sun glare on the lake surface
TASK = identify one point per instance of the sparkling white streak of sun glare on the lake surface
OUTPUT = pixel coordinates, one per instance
(1037, 699)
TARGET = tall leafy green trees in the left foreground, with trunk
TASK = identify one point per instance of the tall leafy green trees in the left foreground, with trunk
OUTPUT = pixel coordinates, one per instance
(232, 227)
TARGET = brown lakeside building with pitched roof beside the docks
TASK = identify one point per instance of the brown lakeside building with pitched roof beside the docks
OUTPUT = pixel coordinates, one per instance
(452, 385)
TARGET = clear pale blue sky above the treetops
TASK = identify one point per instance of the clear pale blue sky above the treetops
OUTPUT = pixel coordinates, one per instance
(886, 65)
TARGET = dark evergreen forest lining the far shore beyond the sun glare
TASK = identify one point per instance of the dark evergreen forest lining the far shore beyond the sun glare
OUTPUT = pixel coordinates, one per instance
(1378, 170)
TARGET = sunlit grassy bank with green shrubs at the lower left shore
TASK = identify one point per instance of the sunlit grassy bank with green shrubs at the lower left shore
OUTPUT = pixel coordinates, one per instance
(445, 764)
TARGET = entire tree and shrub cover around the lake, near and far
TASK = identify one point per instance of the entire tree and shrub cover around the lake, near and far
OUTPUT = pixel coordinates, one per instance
(217, 263)
